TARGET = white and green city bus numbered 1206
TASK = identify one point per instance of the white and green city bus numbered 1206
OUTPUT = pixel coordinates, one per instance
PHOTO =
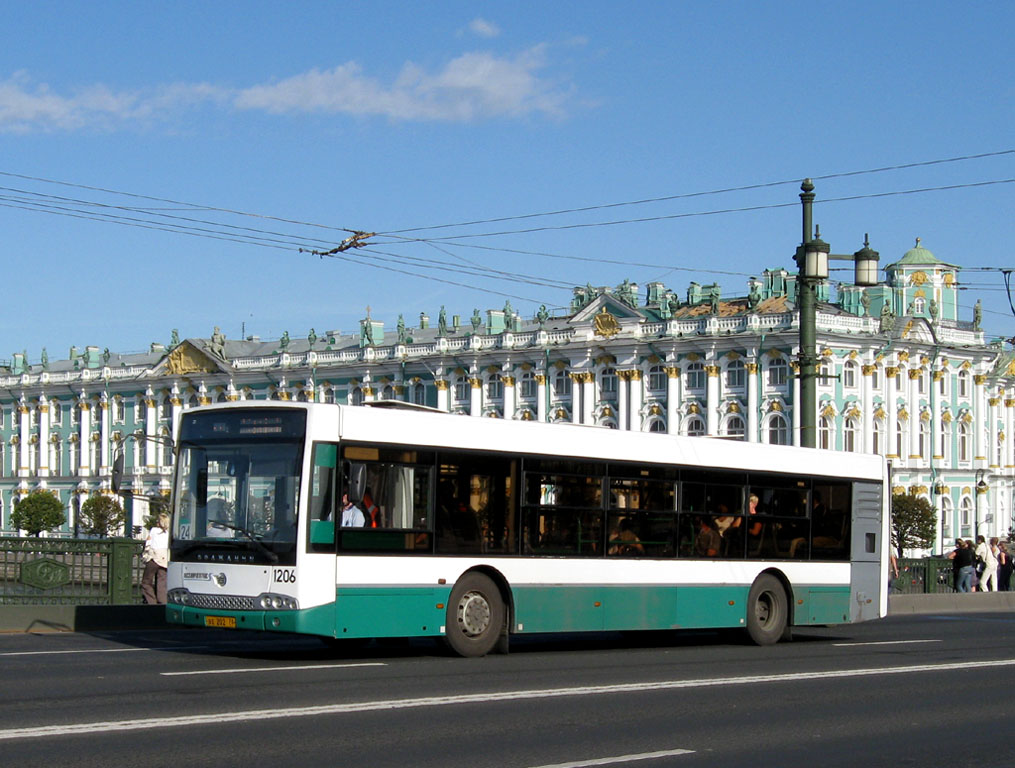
(368, 523)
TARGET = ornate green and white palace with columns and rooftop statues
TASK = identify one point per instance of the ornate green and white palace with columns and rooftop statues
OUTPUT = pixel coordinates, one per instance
(903, 377)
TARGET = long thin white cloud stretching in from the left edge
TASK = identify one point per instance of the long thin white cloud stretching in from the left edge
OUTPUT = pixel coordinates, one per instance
(476, 86)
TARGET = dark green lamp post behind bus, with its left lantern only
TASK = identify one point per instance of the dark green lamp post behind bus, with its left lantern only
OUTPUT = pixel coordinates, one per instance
(813, 260)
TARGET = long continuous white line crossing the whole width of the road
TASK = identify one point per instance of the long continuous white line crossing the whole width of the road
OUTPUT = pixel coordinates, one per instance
(252, 716)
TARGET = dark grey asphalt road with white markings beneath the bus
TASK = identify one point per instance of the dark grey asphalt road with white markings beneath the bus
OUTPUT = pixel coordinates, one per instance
(909, 690)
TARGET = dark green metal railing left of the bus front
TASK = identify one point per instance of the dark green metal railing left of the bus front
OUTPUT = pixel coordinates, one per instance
(71, 572)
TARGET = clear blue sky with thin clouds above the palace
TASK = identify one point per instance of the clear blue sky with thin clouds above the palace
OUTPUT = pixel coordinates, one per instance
(386, 117)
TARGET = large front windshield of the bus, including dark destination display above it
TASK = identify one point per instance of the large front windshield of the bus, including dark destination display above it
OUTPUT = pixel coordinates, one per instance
(237, 488)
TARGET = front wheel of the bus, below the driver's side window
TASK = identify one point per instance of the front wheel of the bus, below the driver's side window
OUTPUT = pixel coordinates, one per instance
(476, 616)
